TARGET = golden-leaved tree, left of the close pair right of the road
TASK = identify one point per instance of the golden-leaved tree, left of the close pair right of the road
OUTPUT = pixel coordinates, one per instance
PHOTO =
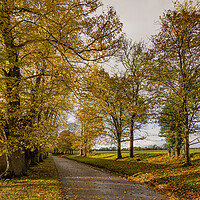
(107, 92)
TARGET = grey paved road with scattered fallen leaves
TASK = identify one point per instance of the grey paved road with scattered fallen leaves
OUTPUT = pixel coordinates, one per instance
(82, 182)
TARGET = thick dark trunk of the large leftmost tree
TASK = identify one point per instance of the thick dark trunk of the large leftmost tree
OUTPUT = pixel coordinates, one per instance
(16, 159)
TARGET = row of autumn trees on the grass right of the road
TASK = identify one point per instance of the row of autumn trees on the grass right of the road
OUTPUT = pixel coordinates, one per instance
(160, 82)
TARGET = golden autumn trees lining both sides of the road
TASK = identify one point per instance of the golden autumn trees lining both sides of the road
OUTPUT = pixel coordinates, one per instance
(45, 51)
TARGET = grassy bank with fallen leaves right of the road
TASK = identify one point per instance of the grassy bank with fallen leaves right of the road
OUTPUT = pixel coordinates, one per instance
(168, 175)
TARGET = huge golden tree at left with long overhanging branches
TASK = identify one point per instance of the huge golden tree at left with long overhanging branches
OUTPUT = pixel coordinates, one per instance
(42, 44)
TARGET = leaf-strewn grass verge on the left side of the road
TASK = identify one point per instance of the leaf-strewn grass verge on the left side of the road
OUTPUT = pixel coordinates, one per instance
(41, 182)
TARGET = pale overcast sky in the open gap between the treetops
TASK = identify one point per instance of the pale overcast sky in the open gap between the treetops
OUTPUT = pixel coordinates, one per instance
(139, 16)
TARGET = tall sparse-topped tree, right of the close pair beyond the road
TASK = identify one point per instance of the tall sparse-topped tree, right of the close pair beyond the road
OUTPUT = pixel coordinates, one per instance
(131, 55)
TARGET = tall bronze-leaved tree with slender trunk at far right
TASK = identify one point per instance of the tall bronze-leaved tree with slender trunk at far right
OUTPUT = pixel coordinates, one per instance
(175, 65)
